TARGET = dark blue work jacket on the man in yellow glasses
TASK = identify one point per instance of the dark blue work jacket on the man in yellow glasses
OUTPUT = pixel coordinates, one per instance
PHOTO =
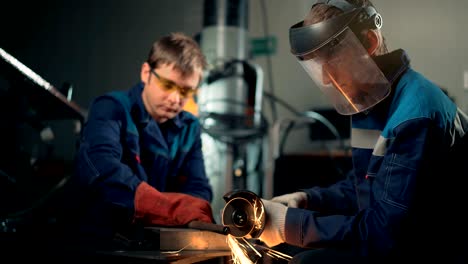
(121, 146)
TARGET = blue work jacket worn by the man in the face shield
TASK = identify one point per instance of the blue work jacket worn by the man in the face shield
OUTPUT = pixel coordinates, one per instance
(402, 193)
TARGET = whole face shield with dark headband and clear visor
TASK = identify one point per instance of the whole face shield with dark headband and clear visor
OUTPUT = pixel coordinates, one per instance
(337, 62)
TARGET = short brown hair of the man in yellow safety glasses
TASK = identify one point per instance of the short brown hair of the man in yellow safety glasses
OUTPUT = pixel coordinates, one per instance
(180, 50)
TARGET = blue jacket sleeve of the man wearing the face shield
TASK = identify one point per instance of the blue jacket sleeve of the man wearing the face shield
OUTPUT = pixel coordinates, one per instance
(412, 152)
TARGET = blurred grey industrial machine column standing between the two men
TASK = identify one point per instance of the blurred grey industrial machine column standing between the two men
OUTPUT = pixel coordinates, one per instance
(230, 101)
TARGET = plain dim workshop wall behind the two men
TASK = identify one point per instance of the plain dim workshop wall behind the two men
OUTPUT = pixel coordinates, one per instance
(99, 45)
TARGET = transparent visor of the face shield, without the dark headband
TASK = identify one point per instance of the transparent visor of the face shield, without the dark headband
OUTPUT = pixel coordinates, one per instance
(346, 73)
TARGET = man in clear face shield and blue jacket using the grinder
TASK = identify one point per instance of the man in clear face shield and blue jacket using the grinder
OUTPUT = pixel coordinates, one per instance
(403, 196)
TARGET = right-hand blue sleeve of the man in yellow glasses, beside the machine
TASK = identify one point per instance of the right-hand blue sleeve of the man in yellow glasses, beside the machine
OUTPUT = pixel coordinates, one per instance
(193, 170)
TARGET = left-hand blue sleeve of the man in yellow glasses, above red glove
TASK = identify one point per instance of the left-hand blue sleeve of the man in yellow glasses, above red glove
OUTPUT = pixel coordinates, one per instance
(109, 184)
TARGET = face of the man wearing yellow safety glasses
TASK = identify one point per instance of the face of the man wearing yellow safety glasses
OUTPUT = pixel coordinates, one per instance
(166, 92)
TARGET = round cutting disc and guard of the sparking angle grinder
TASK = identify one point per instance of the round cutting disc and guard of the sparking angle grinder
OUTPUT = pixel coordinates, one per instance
(244, 214)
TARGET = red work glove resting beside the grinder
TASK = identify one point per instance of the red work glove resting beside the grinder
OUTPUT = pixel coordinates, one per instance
(169, 209)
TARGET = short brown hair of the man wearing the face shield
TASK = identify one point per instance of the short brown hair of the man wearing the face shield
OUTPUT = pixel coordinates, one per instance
(321, 12)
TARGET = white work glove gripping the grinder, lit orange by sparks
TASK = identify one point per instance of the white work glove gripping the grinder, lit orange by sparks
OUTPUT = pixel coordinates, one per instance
(275, 217)
